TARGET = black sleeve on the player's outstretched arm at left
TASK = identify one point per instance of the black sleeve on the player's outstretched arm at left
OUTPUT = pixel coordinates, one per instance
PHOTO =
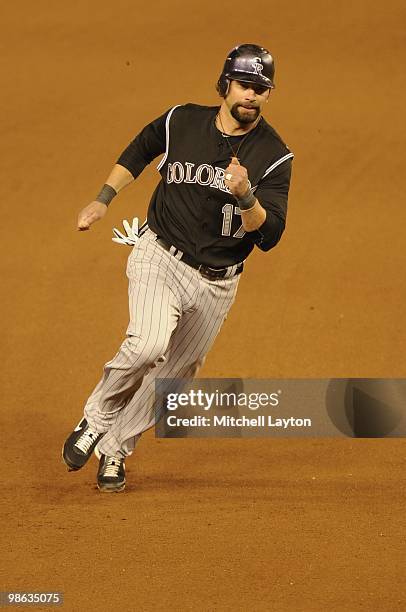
(145, 147)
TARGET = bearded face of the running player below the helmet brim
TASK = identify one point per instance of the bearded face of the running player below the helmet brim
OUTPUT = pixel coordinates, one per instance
(245, 100)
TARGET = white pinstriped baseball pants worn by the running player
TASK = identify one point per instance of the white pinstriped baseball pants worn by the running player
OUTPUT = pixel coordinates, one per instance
(175, 316)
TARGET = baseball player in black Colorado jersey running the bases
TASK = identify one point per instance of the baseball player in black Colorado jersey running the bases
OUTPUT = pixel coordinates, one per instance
(225, 176)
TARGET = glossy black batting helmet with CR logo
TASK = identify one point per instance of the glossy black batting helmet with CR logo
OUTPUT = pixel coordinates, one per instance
(249, 64)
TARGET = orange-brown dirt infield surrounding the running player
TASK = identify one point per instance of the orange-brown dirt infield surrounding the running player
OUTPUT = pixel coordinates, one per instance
(303, 525)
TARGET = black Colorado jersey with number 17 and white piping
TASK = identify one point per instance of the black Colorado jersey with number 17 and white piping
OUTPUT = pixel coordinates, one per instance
(191, 206)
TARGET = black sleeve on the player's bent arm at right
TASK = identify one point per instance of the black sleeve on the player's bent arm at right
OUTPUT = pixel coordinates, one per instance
(272, 193)
